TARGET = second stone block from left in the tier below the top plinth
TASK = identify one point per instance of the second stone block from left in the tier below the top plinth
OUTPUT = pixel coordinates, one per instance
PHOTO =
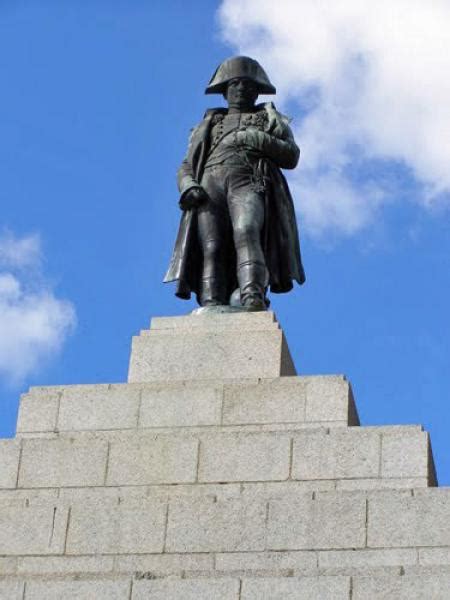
(96, 407)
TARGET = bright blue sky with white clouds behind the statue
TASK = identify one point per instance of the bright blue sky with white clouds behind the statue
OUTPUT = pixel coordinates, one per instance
(96, 105)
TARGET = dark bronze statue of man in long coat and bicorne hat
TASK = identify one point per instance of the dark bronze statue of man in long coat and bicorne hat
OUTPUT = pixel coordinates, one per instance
(238, 234)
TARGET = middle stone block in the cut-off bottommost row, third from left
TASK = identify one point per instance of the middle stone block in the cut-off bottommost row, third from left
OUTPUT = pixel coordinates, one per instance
(185, 589)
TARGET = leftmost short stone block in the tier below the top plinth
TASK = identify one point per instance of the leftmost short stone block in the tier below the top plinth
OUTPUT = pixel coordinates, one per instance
(38, 409)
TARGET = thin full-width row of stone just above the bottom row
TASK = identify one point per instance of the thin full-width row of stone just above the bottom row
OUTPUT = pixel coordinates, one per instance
(405, 561)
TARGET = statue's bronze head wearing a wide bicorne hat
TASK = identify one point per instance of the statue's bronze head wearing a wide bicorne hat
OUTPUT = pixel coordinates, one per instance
(240, 80)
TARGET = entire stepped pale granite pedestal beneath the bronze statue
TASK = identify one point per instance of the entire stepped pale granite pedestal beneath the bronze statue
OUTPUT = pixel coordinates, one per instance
(237, 480)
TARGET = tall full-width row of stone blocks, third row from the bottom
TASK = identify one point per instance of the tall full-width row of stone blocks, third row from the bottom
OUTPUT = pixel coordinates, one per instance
(253, 521)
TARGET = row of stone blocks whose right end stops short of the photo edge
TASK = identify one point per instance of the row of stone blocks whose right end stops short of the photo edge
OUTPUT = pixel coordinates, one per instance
(124, 458)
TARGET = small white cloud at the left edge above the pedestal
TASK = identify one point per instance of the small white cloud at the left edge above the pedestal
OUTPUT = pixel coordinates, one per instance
(34, 323)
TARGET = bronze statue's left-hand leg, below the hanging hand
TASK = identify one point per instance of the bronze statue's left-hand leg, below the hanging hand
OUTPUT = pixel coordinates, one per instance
(212, 226)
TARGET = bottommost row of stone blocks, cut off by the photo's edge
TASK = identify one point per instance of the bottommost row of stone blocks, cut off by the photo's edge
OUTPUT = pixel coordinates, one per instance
(228, 588)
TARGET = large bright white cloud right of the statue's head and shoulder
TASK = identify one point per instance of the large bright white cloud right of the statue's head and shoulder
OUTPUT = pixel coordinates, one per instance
(370, 82)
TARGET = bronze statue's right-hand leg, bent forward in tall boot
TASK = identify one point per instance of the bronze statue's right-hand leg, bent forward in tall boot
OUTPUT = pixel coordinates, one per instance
(246, 206)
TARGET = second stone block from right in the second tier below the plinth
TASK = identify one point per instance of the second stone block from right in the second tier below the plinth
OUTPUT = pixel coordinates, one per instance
(336, 455)
